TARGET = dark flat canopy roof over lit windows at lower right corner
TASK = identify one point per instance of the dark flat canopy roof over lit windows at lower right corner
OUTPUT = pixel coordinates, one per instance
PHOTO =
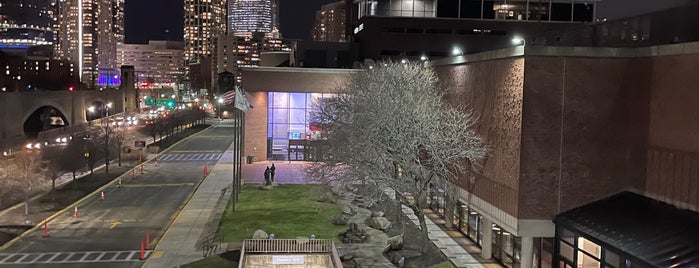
(653, 232)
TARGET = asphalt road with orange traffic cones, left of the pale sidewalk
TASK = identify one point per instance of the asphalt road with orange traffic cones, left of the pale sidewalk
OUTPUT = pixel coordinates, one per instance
(108, 233)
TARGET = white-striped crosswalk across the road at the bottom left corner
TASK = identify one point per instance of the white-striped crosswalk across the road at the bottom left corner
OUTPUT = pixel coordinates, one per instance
(72, 257)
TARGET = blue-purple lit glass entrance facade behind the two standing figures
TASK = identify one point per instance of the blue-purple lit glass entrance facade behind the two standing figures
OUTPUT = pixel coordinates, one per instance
(289, 128)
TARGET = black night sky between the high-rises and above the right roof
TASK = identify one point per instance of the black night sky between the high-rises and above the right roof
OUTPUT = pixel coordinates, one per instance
(162, 19)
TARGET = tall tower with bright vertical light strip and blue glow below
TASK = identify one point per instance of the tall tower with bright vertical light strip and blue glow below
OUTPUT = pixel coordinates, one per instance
(88, 31)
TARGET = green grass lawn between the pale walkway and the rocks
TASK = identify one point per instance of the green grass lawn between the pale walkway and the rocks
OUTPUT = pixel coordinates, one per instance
(288, 211)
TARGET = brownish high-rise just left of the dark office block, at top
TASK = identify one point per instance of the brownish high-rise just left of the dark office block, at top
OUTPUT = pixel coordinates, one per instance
(329, 24)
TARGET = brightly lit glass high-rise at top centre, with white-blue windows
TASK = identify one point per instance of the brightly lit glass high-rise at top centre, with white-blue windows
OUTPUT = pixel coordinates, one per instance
(253, 16)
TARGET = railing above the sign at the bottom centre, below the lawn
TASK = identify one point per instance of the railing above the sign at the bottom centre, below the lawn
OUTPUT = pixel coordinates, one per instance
(301, 245)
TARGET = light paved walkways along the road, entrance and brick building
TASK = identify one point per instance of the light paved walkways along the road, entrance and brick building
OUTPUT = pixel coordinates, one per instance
(177, 247)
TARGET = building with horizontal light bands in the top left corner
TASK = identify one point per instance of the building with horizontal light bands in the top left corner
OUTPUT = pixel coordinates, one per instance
(25, 23)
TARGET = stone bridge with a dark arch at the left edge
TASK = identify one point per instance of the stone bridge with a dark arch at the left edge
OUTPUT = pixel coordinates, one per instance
(24, 115)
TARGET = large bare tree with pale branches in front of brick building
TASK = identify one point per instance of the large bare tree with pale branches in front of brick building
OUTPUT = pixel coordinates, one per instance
(389, 128)
